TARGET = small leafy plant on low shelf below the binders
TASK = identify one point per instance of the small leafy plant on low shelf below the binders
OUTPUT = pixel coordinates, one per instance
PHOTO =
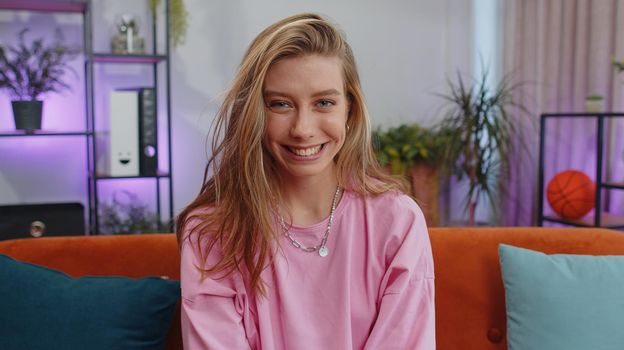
(127, 214)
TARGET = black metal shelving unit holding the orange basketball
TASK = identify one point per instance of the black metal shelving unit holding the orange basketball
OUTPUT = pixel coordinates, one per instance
(602, 219)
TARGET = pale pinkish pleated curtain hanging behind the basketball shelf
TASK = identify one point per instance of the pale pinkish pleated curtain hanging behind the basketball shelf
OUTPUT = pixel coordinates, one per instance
(561, 52)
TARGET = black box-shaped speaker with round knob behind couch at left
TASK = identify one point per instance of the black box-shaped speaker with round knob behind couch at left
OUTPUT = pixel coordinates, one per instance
(36, 220)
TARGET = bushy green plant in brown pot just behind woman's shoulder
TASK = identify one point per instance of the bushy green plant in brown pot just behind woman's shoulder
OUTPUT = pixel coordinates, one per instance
(414, 151)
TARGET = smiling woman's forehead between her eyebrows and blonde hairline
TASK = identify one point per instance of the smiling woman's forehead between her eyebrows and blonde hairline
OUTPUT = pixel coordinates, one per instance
(307, 73)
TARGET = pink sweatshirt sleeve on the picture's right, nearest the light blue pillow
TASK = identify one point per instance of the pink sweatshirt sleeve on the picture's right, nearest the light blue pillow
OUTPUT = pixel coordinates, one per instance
(406, 316)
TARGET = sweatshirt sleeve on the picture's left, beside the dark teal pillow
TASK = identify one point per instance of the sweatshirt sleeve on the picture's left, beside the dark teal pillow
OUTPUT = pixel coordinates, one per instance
(214, 312)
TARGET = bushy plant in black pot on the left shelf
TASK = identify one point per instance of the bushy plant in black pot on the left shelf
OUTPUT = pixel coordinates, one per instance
(29, 70)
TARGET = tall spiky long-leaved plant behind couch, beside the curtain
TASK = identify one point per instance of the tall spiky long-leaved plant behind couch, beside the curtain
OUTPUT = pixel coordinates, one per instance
(480, 137)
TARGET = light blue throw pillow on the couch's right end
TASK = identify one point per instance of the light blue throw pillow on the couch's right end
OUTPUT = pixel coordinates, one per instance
(563, 301)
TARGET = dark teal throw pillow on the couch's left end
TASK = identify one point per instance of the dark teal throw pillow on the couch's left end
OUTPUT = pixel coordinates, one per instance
(42, 308)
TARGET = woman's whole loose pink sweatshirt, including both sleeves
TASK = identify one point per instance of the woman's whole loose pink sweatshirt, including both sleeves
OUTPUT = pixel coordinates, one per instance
(375, 289)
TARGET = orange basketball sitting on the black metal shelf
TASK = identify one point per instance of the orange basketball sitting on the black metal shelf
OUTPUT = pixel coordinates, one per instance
(571, 194)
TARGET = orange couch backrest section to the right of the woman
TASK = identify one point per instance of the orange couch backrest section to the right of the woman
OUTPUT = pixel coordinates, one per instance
(470, 297)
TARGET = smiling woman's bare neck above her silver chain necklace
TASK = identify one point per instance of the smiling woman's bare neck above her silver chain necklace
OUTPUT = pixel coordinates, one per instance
(308, 201)
